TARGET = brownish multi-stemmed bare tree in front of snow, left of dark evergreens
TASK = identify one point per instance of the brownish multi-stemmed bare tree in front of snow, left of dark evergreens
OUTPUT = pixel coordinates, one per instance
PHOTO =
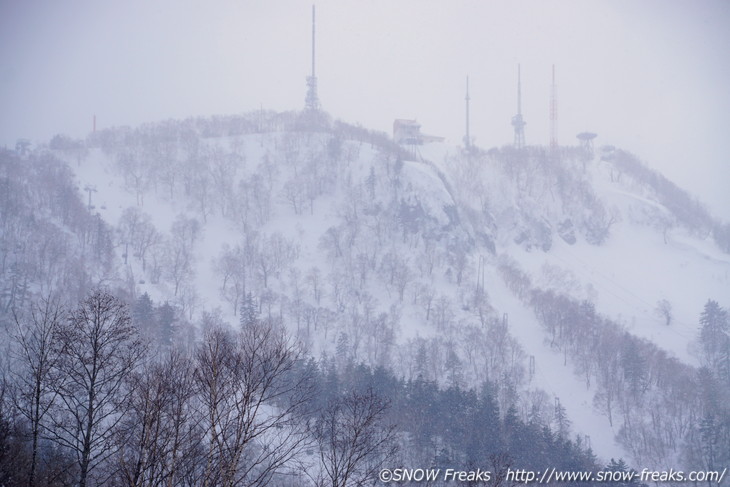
(251, 397)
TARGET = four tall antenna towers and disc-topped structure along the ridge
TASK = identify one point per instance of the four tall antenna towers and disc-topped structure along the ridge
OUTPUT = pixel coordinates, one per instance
(518, 122)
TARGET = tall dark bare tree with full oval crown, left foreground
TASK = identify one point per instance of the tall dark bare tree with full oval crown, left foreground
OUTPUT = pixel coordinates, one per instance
(99, 348)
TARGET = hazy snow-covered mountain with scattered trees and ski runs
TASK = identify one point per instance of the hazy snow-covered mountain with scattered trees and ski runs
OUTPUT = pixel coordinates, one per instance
(565, 278)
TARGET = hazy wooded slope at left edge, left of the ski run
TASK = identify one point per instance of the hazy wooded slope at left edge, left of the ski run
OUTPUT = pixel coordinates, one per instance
(49, 242)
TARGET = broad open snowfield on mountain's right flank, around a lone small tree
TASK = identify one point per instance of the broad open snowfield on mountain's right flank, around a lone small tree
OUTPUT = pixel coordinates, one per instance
(636, 268)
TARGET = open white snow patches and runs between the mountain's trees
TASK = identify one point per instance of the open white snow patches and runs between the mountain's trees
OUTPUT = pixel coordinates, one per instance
(625, 277)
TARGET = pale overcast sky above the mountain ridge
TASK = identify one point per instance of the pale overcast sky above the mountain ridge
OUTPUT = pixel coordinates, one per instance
(651, 76)
